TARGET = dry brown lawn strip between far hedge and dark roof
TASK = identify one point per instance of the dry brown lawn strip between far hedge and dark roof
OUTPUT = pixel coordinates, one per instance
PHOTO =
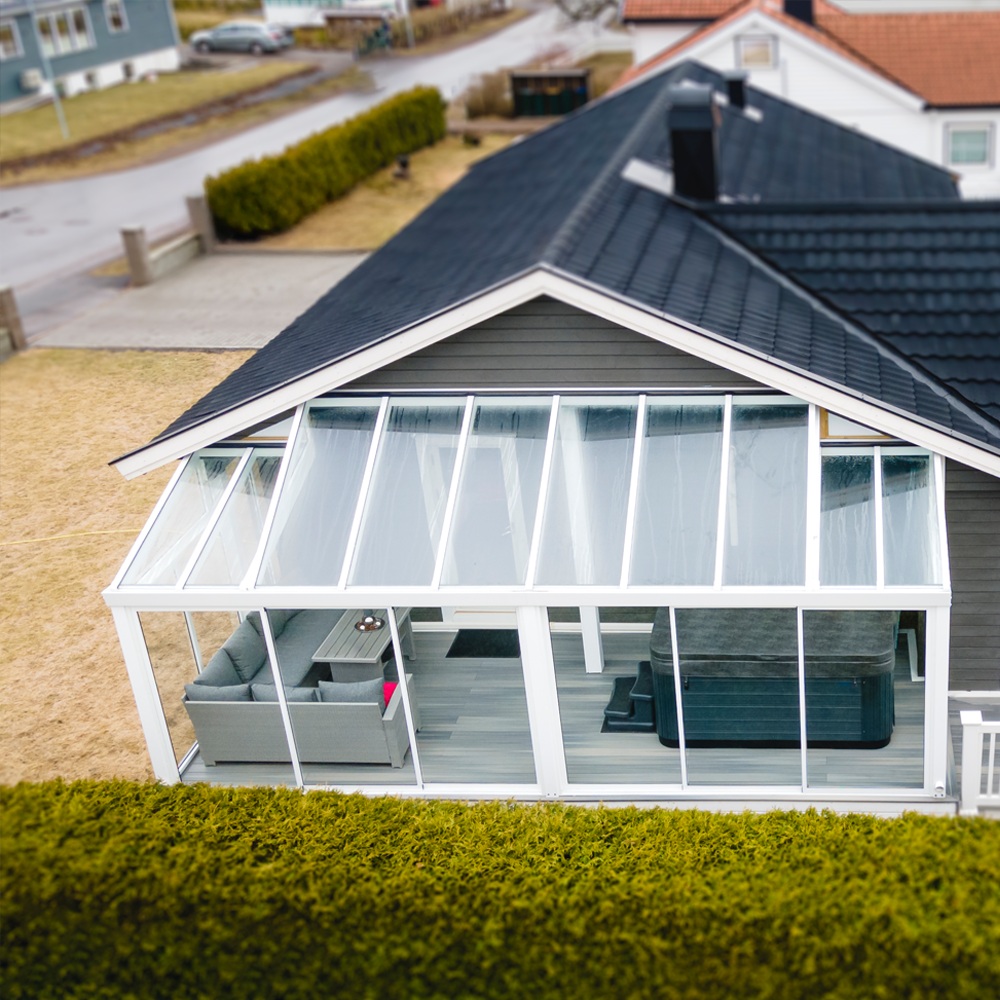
(382, 205)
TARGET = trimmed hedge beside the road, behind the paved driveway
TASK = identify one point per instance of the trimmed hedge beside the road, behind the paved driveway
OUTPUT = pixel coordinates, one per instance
(272, 194)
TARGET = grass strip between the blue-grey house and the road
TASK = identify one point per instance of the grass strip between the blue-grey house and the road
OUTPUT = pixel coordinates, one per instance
(100, 112)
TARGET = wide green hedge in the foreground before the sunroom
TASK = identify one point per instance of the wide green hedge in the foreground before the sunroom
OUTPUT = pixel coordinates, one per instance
(122, 890)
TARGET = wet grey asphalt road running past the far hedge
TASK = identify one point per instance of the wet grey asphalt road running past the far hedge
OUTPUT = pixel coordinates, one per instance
(48, 231)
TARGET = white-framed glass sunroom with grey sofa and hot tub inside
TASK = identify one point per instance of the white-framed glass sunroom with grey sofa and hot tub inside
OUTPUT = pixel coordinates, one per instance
(636, 596)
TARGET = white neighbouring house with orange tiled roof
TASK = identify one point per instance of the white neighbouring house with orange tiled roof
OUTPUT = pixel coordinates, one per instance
(928, 83)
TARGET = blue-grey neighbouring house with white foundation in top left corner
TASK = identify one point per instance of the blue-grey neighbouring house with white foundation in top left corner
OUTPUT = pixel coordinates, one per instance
(82, 44)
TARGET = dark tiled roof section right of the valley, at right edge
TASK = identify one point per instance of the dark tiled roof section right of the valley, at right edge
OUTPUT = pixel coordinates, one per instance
(926, 279)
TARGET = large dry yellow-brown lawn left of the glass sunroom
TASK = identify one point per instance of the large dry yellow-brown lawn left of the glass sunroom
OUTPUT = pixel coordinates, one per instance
(67, 521)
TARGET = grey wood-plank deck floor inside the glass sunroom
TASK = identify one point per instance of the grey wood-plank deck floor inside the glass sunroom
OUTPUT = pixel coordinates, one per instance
(475, 729)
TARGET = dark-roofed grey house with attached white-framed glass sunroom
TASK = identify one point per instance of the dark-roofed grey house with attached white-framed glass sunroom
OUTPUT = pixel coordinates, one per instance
(658, 460)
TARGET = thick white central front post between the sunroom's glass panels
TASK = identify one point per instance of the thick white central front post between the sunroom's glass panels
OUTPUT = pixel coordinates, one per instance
(542, 697)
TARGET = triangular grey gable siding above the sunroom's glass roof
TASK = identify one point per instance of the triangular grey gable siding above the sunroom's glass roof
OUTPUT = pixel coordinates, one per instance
(547, 344)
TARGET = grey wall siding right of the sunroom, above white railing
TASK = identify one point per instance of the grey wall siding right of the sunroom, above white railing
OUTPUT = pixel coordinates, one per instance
(972, 501)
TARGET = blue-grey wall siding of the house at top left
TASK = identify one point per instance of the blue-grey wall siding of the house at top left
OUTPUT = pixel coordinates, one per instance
(150, 28)
